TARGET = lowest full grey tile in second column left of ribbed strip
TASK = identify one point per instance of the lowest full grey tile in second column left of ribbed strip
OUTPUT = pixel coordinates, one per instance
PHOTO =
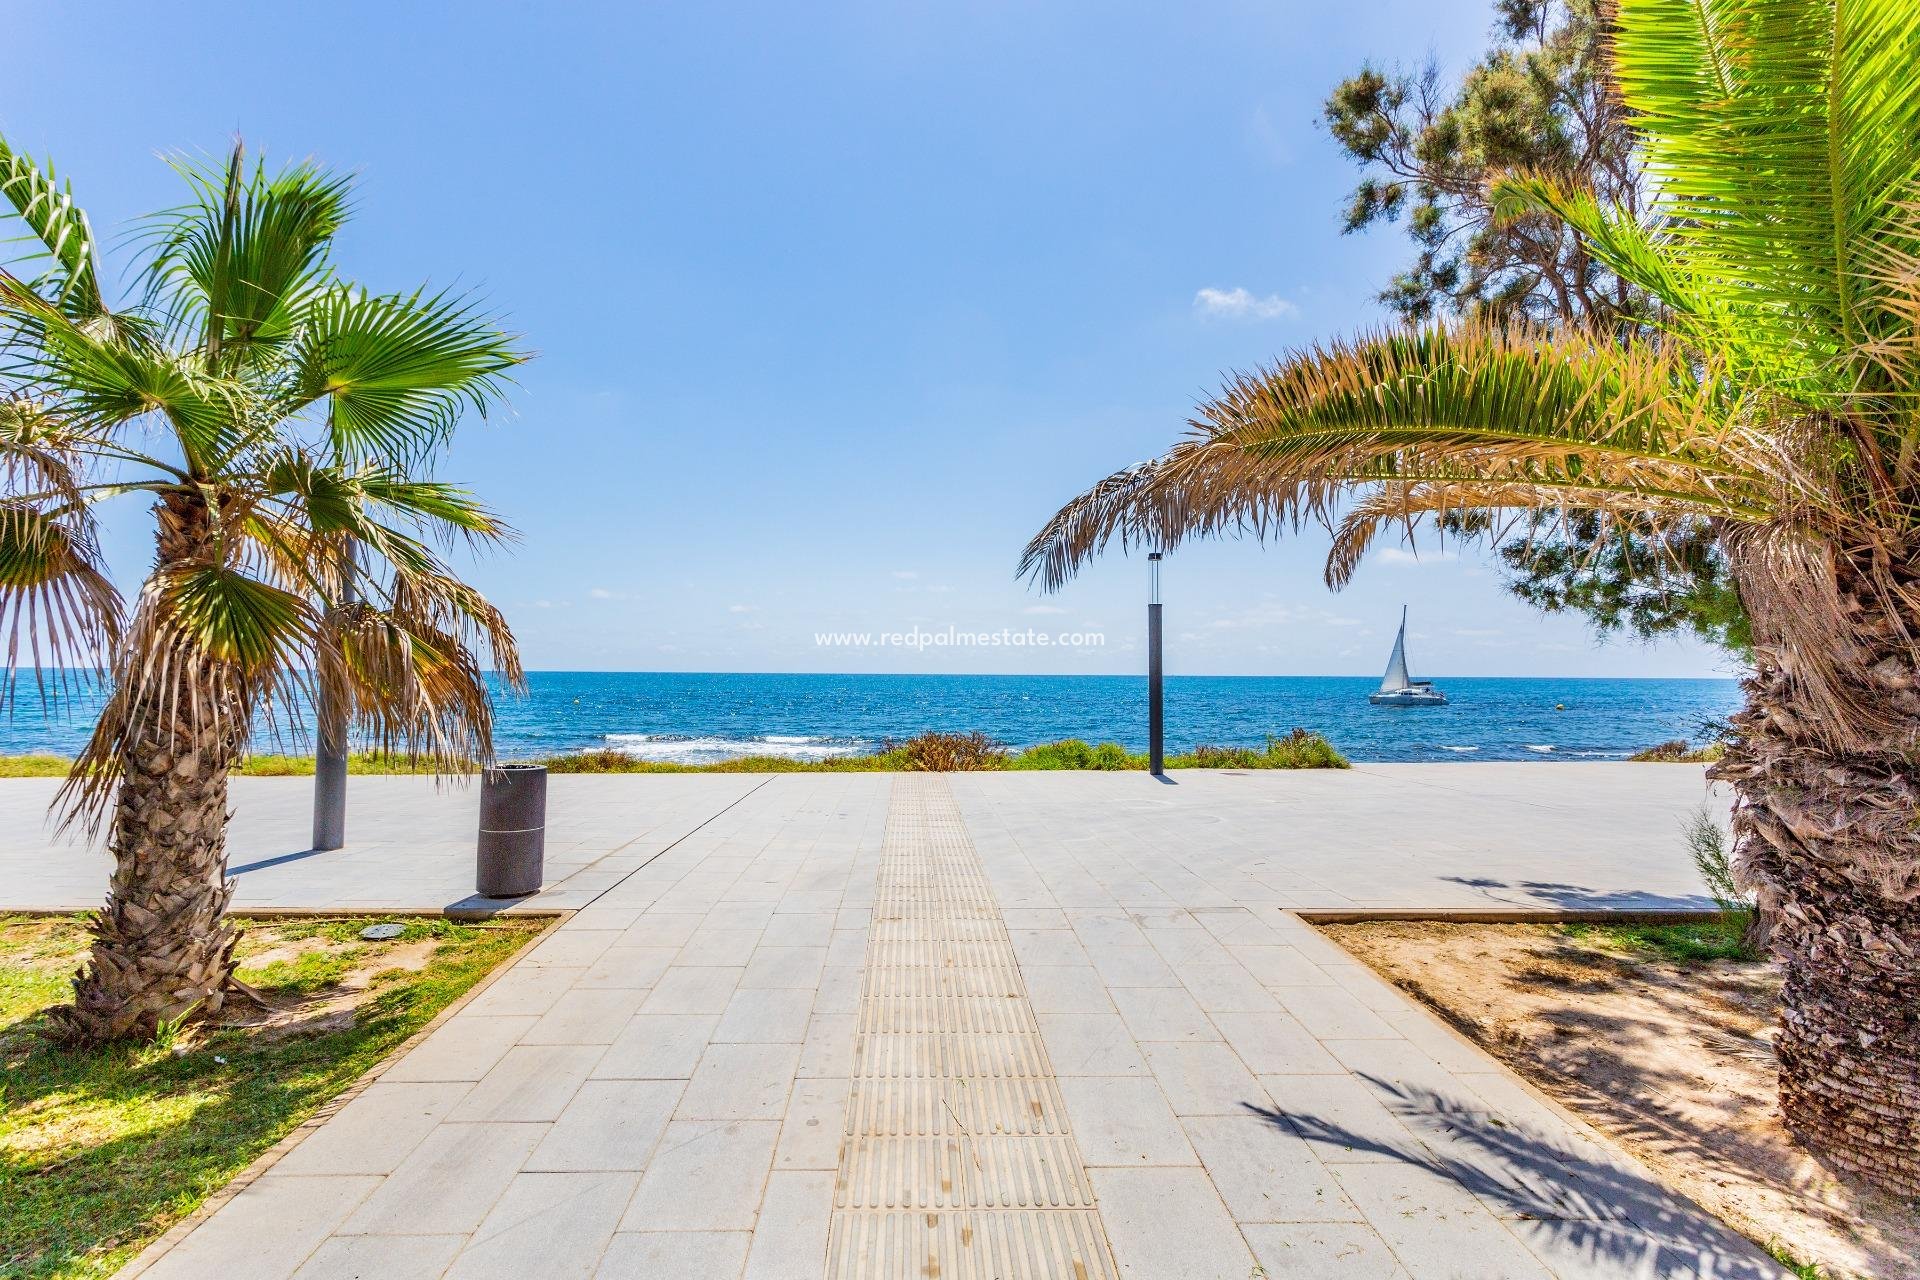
(706, 1177)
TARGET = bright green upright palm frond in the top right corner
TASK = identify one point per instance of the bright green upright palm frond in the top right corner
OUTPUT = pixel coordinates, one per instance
(1783, 141)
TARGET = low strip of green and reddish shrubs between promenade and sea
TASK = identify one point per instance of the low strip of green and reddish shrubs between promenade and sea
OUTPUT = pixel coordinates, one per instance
(924, 753)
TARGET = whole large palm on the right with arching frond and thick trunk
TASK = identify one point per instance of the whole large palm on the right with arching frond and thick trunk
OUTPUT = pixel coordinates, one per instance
(1779, 400)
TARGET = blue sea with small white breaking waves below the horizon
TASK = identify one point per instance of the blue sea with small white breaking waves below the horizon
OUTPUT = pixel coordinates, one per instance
(702, 719)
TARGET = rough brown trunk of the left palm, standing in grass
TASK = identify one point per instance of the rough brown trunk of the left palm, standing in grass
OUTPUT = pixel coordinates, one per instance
(162, 945)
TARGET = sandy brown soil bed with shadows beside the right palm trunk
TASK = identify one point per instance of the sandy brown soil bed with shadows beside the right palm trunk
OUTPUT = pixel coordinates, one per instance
(1658, 1037)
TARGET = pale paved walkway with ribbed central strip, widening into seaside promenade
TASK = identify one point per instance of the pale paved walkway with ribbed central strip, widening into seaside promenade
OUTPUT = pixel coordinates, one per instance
(980, 1028)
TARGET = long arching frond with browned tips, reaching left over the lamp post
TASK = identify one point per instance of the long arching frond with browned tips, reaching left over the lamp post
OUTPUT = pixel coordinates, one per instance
(1568, 419)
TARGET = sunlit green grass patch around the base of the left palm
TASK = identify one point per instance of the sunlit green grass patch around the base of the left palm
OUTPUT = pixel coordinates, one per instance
(105, 1150)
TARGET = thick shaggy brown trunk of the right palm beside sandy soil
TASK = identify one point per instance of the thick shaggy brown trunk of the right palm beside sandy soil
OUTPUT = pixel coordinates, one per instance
(1829, 838)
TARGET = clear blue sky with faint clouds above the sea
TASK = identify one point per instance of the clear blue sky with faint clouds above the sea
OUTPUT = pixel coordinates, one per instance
(834, 304)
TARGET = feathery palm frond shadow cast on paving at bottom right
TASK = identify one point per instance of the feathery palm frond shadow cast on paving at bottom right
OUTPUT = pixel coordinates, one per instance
(1579, 1206)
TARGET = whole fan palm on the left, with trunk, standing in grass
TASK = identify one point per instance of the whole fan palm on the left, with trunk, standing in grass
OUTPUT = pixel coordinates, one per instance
(281, 423)
